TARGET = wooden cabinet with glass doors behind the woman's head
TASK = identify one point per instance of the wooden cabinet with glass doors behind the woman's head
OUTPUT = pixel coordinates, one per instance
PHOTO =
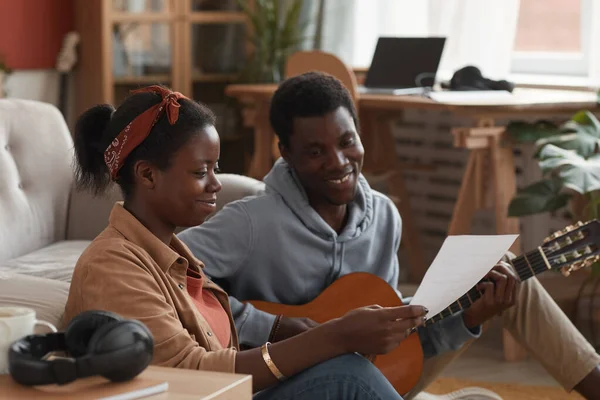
(180, 26)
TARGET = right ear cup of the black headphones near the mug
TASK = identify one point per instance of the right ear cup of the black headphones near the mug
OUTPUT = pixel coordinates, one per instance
(119, 336)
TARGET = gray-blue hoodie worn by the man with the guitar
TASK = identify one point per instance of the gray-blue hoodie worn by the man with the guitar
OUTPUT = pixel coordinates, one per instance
(275, 247)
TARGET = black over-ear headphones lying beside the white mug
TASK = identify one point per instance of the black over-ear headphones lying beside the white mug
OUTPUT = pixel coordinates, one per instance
(97, 342)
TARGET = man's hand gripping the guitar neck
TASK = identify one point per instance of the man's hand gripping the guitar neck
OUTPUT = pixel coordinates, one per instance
(498, 295)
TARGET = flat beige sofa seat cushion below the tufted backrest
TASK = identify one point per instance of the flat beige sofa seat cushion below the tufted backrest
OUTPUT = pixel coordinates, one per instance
(56, 261)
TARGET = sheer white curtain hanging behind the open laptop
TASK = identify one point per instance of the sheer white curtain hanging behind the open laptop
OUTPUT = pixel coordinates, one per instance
(478, 32)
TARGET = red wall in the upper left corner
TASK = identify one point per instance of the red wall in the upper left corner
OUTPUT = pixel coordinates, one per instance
(31, 31)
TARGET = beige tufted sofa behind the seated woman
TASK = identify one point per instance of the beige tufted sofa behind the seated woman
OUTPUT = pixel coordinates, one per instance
(44, 223)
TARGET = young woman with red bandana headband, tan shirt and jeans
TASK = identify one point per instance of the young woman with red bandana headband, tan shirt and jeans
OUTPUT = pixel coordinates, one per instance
(162, 149)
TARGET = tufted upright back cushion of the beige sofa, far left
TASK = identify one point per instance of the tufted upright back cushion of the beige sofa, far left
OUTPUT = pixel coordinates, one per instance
(36, 152)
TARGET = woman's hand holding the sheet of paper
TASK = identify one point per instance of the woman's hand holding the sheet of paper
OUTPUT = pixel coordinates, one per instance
(377, 330)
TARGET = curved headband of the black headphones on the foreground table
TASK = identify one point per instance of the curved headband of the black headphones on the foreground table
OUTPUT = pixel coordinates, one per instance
(83, 327)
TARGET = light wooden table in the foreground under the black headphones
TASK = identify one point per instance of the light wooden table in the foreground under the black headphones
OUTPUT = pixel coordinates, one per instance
(183, 385)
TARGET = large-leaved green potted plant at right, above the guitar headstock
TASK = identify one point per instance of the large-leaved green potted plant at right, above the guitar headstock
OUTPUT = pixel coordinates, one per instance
(569, 158)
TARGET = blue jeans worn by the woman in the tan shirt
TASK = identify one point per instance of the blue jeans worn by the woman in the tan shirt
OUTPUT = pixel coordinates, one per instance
(348, 377)
